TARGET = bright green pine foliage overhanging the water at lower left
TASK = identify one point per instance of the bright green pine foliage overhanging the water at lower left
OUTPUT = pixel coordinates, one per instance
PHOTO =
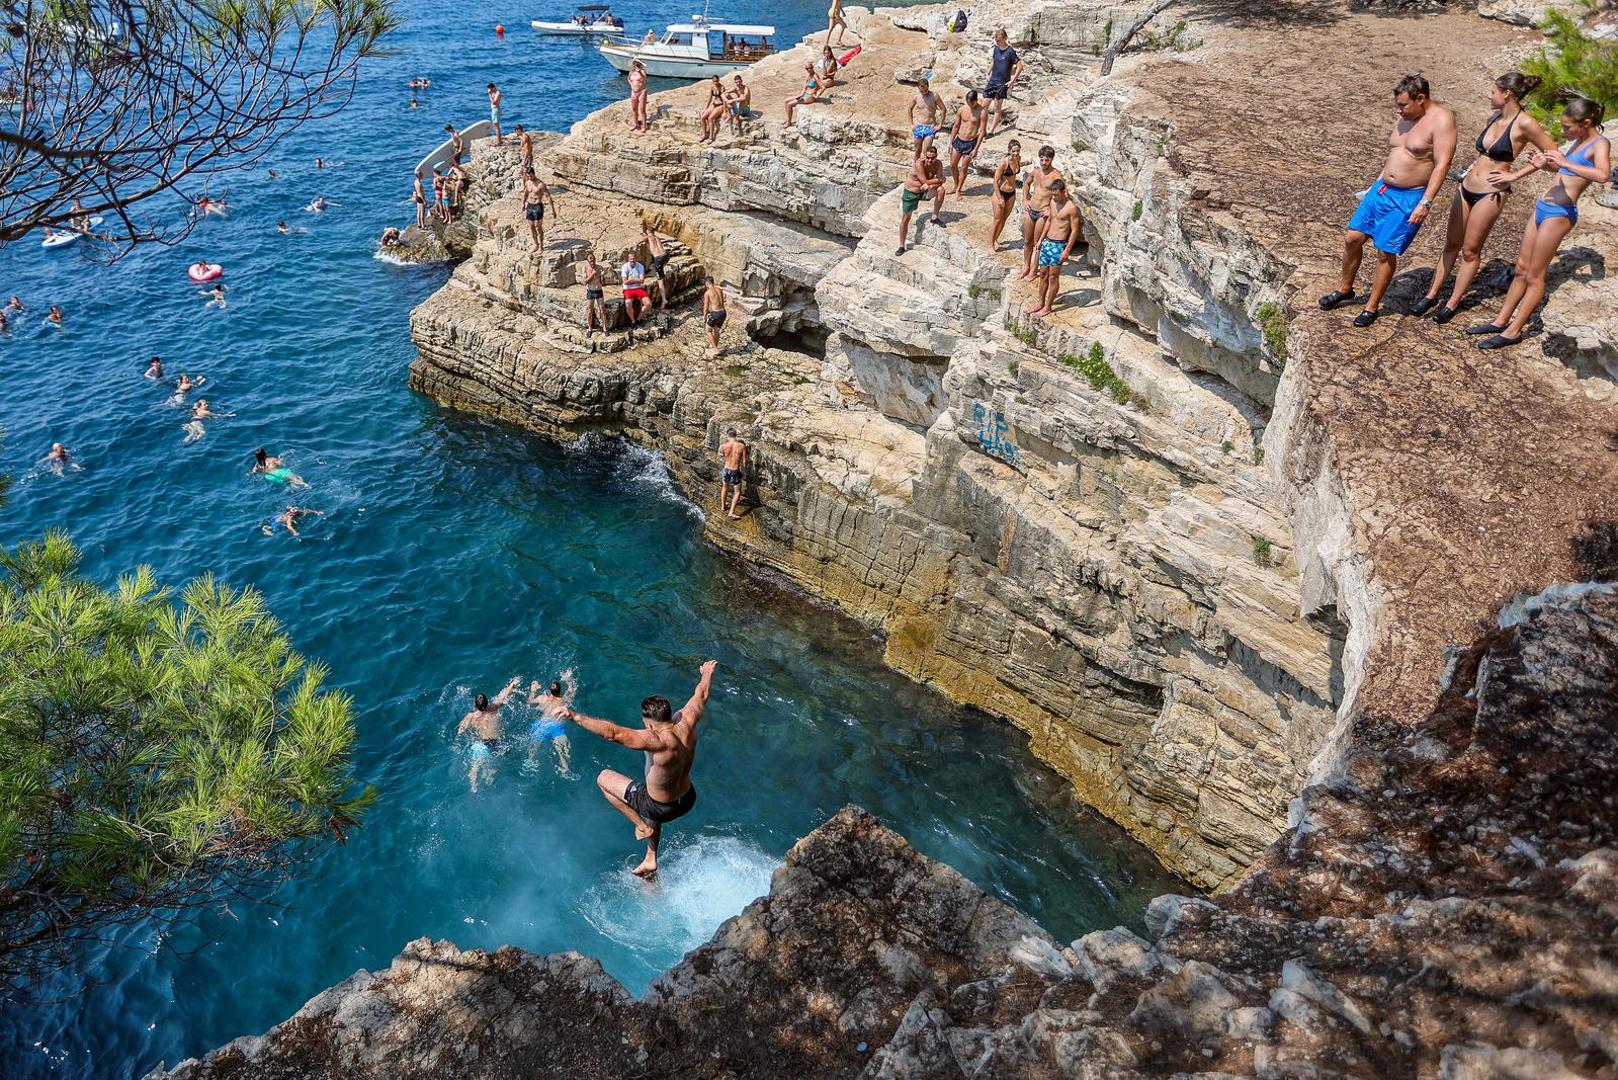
(155, 755)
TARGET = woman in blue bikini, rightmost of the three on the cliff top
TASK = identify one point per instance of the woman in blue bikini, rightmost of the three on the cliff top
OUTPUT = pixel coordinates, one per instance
(1585, 163)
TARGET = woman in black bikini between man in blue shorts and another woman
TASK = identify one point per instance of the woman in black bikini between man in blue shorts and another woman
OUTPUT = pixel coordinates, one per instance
(1485, 190)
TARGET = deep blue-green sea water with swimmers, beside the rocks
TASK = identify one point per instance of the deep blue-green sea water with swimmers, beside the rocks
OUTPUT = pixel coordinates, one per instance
(455, 555)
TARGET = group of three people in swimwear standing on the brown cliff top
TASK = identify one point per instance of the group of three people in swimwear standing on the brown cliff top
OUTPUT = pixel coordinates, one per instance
(1421, 150)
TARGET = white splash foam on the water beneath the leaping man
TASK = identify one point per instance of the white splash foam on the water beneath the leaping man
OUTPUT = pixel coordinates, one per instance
(701, 882)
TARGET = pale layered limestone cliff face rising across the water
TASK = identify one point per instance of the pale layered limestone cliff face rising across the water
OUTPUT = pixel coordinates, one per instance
(1112, 576)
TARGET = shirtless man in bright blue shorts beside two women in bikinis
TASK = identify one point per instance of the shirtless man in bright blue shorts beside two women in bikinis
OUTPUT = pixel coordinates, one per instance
(1394, 208)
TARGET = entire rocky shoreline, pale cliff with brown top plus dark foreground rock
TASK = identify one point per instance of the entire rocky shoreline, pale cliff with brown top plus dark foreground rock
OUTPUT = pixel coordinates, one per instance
(1219, 558)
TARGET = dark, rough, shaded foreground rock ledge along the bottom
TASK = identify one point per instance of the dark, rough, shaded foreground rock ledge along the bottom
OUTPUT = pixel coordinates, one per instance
(1449, 909)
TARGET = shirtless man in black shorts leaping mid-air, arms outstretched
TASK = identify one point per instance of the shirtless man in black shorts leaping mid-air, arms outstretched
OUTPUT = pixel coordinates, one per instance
(671, 744)
